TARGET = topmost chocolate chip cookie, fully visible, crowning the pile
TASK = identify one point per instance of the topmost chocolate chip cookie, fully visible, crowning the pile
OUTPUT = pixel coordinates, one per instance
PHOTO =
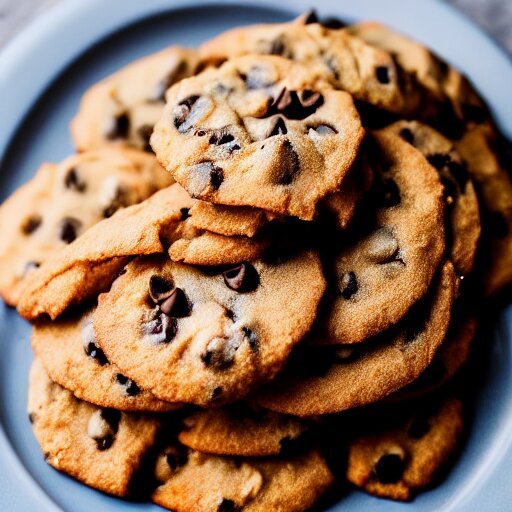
(258, 131)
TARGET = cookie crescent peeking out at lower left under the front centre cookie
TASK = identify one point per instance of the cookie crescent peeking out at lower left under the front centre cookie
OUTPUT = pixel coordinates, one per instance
(72, 358)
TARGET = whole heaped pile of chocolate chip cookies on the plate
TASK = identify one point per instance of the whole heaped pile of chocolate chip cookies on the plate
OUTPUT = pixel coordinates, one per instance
(261, 273)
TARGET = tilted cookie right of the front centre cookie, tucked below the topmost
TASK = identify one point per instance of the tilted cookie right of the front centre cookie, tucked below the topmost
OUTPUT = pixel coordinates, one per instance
(389, 263)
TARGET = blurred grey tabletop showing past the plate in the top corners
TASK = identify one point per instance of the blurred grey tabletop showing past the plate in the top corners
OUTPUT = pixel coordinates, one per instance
(495, 16)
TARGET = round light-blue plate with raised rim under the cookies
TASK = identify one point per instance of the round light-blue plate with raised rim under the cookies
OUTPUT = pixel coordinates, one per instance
(43, 73)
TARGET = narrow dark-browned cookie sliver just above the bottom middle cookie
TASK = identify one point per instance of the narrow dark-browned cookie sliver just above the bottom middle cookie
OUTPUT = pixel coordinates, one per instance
(241, 430)
